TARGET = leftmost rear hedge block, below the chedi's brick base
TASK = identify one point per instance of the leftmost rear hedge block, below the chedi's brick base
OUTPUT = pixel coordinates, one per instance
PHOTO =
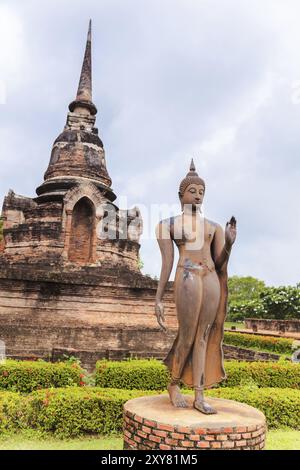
(26, 376)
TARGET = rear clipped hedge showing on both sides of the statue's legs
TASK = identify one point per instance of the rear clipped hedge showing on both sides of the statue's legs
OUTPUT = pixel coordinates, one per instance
(153, 375)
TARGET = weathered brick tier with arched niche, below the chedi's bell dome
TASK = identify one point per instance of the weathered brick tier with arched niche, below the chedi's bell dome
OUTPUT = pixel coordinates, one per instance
(42, 233)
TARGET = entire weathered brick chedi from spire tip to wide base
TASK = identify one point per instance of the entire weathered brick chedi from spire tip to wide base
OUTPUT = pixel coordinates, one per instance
(69, 274)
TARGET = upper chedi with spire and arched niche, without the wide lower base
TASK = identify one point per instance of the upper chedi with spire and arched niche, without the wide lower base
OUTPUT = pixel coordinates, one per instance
(62, 224)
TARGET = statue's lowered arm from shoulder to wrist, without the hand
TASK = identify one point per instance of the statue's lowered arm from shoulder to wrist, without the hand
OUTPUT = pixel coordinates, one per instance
(167, 253)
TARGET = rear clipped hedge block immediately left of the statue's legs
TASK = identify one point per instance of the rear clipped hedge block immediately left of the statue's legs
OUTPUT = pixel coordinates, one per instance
(142, 374)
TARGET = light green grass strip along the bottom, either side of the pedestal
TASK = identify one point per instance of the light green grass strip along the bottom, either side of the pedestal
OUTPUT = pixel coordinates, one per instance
(276, 440)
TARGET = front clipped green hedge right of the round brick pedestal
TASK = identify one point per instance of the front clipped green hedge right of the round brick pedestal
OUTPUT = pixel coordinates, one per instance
(281, 406)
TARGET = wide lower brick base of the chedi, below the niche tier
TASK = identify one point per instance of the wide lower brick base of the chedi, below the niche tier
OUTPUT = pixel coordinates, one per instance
(81, 315)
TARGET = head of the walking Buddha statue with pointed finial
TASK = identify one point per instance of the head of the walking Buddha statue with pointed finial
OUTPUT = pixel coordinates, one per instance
(191, 189)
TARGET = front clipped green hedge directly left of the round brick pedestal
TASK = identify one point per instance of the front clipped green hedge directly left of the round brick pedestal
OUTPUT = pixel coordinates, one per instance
(74, 411)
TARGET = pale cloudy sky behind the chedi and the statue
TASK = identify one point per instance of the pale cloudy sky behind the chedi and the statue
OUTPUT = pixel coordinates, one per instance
(217, 80)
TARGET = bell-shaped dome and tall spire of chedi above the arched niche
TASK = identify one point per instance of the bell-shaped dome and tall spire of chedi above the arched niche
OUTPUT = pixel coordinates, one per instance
(78, 151)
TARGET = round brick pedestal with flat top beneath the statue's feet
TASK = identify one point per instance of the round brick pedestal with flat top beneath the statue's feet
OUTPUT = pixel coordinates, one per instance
(153, 423)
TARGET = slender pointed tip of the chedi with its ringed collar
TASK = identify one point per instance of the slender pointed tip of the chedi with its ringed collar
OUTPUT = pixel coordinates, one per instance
(84, 92)
